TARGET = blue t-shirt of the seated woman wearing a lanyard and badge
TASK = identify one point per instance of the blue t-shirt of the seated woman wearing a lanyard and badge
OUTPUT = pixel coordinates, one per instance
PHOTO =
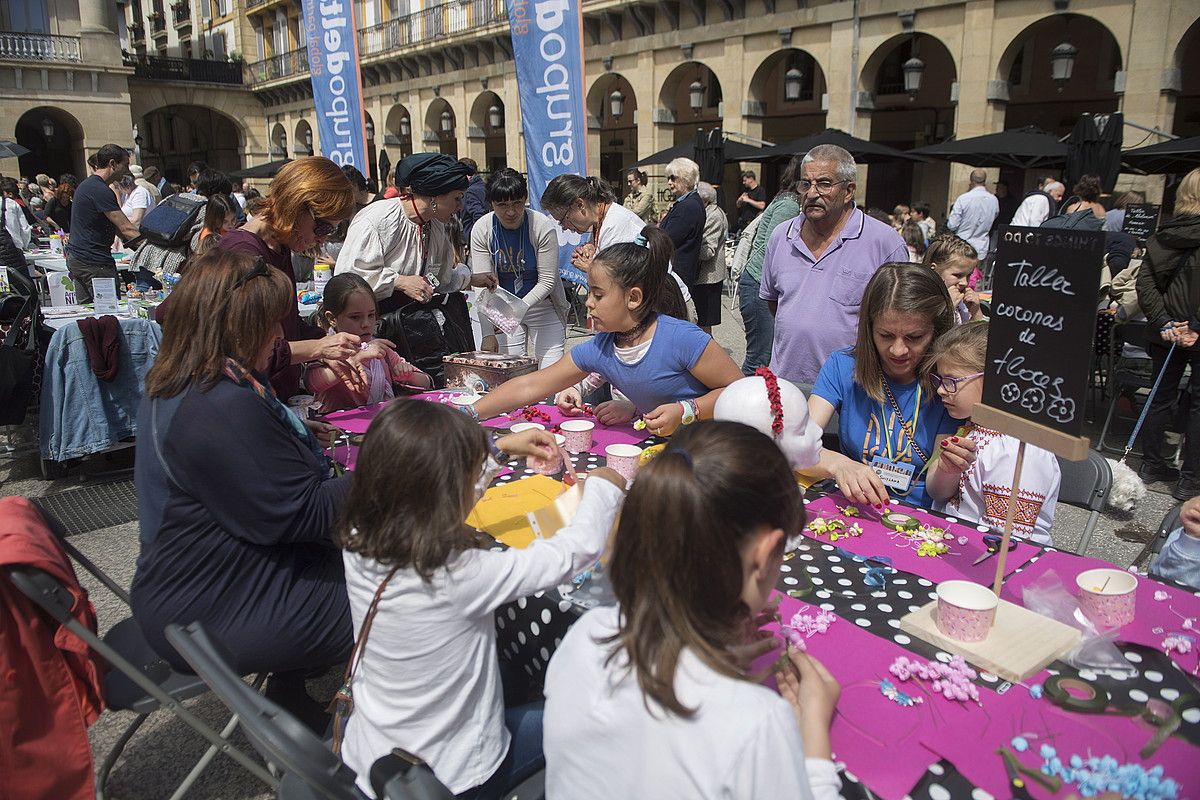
(868, 429)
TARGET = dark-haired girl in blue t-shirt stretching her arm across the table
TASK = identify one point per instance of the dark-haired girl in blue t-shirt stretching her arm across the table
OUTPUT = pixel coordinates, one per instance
(668, 368)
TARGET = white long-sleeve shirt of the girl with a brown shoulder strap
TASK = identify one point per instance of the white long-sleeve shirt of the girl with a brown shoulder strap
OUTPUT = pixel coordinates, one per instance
(429, 681)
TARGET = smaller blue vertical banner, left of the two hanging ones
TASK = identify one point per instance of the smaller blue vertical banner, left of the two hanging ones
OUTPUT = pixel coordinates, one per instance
(337, 81)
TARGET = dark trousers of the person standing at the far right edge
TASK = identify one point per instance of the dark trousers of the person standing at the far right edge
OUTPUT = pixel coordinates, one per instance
(1162, 407)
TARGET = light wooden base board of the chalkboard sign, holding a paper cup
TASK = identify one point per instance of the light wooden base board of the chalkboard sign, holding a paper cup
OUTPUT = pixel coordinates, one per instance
(1021, 643)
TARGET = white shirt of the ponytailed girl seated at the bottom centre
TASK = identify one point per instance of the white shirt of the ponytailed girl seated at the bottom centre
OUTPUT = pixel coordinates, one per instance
(603, 743)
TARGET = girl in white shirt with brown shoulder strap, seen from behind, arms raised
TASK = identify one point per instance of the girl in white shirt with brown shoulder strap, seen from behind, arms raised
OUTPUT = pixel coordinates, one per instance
(425, 677)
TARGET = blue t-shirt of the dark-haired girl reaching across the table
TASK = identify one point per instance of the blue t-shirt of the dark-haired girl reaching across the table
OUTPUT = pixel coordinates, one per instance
(662, 376)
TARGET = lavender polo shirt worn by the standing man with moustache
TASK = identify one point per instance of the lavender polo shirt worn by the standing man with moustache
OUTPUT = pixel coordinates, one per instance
(819, 299)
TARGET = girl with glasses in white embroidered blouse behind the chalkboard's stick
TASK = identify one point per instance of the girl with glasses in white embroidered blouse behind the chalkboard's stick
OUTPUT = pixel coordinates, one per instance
(973, 476)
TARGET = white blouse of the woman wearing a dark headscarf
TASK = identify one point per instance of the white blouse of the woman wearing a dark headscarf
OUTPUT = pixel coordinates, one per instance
(383, 244)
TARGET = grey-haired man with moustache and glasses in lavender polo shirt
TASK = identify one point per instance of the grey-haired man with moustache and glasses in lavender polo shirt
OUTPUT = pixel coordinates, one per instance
(818, 267)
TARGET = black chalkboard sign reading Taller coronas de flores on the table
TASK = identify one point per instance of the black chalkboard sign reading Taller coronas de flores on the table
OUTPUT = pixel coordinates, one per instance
(1043, 318)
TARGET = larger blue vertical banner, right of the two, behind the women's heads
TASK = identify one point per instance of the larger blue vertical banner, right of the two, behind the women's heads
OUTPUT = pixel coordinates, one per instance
(548, 46)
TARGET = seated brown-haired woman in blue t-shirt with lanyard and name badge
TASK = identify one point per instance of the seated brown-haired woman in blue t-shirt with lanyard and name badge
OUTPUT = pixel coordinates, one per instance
(889, 414)
